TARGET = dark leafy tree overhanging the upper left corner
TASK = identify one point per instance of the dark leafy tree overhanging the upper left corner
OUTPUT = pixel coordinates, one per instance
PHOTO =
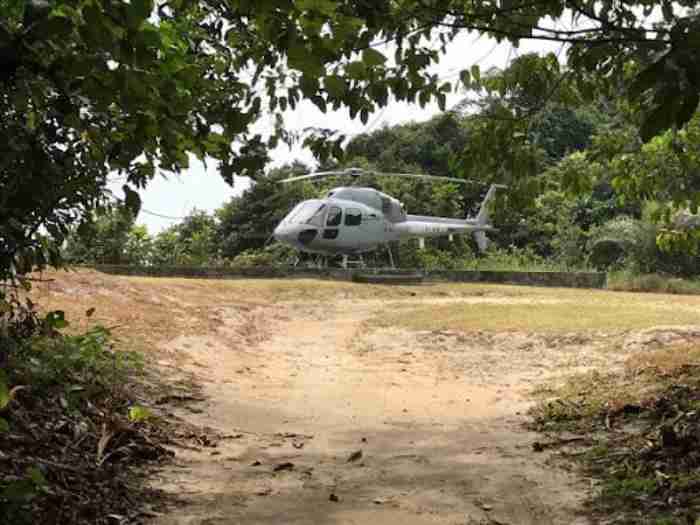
(92, 87)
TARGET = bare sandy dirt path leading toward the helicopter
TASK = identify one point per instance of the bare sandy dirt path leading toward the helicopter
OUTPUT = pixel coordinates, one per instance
(295, 391)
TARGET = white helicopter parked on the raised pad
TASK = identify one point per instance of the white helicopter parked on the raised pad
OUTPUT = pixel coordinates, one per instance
(350, 221)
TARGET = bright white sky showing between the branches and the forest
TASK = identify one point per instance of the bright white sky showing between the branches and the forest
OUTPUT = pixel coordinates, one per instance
(166, 201)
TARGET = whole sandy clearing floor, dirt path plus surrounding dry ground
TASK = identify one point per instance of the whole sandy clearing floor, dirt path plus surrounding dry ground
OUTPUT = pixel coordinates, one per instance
(313, 413)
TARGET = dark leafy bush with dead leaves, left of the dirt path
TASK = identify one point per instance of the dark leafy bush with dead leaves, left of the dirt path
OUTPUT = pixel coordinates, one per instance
(64, 382)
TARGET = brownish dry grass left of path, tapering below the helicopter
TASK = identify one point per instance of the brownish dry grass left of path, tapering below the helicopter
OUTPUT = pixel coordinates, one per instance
(146, 311)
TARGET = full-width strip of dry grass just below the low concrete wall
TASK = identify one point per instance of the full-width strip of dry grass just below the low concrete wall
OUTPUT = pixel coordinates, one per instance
(149, 310)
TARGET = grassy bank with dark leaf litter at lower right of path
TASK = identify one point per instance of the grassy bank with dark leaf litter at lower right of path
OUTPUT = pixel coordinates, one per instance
(641, 426)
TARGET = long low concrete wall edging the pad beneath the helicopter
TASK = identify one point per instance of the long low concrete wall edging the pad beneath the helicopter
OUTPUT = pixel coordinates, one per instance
(560, 279)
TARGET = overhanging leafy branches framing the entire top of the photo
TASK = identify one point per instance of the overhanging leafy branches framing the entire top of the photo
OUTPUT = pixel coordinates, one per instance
(89, 87)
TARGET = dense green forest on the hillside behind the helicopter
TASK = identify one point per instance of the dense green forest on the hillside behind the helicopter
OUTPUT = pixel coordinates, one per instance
(583, 191)
